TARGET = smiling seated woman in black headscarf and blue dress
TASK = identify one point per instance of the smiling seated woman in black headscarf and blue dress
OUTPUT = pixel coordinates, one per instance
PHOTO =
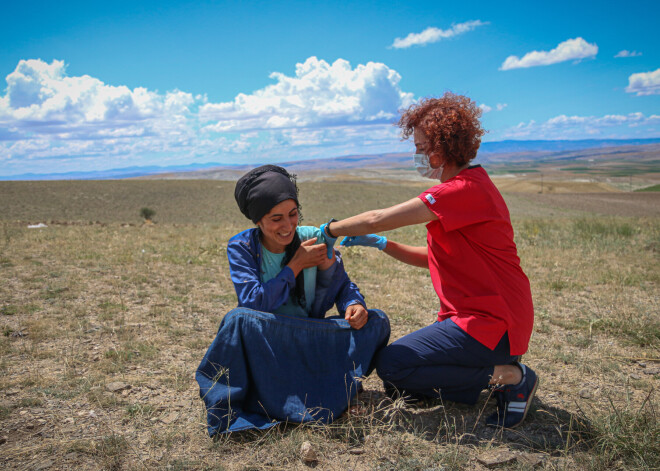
(276, 357)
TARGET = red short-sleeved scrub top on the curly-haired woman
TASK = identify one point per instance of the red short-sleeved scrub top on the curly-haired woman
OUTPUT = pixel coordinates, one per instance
(474, 263)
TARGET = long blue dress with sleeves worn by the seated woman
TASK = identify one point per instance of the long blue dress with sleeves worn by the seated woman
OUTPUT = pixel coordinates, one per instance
(264, 367)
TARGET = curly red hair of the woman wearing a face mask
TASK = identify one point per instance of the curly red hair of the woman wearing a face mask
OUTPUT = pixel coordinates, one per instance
(450, 123)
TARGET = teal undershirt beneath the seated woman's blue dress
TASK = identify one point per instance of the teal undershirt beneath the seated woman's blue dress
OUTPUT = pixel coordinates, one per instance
(271, 265)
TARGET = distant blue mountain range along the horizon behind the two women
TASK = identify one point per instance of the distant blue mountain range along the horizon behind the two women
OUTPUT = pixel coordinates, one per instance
(500, 152)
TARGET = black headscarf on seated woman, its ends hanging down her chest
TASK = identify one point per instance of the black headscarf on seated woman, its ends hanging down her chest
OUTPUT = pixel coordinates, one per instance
(259, 191)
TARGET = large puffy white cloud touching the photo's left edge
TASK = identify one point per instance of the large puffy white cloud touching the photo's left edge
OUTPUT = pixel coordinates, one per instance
(42, 99)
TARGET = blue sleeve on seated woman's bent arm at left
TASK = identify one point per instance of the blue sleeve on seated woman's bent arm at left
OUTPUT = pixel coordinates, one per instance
(245, 270)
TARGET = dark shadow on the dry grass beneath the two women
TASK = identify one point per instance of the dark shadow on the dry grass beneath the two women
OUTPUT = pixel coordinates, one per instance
(547, 429)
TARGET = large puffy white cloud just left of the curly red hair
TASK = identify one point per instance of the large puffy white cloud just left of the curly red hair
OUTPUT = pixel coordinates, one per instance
(320, 94)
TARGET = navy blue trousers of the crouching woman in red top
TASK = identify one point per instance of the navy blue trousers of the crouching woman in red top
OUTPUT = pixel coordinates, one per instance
(440, 360)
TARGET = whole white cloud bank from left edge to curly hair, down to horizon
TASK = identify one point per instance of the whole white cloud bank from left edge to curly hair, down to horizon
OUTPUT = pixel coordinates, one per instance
(50, 121)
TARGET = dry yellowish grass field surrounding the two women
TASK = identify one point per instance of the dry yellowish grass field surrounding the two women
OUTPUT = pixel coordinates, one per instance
(104, 320)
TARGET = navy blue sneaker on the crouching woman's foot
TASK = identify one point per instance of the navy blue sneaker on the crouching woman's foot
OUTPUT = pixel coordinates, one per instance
(513, 401)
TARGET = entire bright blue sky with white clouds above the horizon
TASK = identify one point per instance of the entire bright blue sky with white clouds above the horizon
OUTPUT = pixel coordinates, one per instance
(102, 85)
